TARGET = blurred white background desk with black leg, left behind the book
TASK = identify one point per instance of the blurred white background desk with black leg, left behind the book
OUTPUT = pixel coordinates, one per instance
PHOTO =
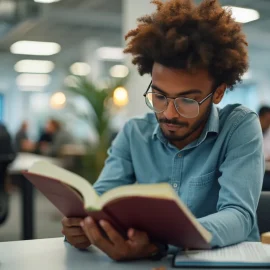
(24, 161)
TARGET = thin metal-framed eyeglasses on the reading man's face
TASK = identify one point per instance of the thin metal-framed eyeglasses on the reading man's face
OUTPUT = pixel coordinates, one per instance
(186, 107)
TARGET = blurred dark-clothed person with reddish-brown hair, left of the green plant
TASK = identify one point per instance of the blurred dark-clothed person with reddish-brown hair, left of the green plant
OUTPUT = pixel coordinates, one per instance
(53, 139)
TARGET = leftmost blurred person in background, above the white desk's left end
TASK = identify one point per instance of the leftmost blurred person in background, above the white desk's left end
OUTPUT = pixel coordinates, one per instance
(22, 142)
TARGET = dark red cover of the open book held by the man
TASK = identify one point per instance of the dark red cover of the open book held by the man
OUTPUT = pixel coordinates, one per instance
(162, 219)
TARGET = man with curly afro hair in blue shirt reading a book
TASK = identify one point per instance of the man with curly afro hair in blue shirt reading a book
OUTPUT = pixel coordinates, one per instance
(212, 157)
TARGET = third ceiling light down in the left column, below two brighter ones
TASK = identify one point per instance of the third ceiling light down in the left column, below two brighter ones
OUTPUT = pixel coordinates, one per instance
(33, 80)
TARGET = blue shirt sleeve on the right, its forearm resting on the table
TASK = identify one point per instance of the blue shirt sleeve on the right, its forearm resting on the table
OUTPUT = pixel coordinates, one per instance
(240, 185)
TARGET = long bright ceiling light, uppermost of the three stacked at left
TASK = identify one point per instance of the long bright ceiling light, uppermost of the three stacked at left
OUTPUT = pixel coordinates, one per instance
(35, 48)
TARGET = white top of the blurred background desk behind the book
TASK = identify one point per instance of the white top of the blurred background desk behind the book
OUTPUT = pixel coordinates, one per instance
(24, 161)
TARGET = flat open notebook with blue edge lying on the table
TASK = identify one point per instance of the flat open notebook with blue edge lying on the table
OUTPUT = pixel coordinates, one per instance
(243, 255)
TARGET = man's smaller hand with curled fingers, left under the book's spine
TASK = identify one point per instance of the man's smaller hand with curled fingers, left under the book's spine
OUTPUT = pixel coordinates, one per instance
(74, 233)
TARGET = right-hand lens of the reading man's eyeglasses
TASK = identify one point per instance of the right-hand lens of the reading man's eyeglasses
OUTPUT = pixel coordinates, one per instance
(186, 107)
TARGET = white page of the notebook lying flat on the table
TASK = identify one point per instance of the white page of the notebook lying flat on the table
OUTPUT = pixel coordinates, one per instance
(247, 252)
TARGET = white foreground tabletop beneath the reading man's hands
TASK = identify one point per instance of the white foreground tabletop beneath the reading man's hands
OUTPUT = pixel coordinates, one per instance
(54, 254)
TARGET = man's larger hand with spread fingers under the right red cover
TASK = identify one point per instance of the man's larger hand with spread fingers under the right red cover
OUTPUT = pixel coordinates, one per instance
(116, 247)
